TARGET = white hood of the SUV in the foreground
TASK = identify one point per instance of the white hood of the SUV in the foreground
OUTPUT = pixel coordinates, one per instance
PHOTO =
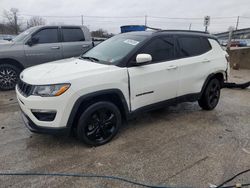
(62, 71)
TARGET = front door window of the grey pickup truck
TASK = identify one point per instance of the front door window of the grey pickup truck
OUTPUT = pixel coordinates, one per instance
(47, 36)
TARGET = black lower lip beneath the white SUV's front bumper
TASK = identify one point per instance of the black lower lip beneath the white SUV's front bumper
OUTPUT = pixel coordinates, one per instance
(43, 130)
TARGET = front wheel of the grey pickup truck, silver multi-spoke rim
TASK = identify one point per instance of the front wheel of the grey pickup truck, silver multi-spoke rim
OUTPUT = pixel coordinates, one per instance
(9, 76)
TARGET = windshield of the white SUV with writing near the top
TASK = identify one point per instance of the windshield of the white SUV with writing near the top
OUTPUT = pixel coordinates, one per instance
(113, 50)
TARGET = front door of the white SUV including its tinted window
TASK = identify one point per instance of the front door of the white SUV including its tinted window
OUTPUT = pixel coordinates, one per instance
(157, 81)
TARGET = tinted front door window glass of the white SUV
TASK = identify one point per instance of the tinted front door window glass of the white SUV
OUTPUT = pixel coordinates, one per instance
(161, 49)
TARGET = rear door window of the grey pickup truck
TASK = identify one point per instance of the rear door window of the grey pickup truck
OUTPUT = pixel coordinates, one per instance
(72, 34)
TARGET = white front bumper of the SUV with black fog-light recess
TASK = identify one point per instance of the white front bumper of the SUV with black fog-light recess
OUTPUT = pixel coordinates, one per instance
(61, 105)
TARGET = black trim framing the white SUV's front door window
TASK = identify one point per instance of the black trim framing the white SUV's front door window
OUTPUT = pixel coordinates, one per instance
(131, 63)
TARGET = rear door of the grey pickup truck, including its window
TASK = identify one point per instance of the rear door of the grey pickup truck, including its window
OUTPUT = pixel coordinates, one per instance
(73, 42)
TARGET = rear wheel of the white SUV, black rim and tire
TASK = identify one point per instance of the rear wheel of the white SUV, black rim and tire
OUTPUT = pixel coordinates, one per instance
(211, 95)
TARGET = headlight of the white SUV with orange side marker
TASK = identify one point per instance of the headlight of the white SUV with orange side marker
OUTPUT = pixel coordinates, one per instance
(50, 90)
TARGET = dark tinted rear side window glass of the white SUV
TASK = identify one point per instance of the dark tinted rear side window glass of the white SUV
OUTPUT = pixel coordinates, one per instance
(192, 46)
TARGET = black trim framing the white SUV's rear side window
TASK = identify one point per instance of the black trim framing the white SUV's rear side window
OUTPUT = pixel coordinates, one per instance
(190, 36)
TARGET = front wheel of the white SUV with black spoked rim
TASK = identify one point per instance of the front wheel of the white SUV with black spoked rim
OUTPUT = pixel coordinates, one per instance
(99, 123)
